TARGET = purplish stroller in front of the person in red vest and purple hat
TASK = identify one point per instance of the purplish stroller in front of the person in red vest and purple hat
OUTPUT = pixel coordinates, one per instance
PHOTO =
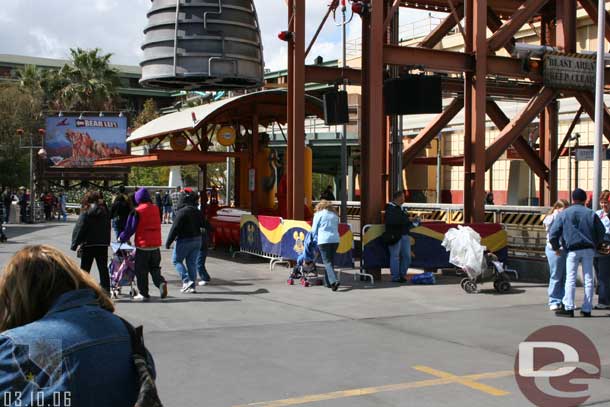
(122, 269)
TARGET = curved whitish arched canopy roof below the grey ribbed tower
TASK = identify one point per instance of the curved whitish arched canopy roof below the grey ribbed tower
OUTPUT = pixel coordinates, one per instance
(270, 105)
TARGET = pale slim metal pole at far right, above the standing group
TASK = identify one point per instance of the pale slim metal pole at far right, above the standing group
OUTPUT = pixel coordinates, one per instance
(599, 104)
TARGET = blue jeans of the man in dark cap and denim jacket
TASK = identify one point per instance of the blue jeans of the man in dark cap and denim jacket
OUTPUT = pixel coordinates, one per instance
(575, 257)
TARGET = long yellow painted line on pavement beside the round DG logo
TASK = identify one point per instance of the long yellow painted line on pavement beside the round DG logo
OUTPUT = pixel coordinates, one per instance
(380, 389)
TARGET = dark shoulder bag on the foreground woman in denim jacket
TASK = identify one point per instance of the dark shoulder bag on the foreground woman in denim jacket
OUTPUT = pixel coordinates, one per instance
(147, 392)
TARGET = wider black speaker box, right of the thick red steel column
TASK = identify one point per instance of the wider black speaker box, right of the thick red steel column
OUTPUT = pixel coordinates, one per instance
(413, 94)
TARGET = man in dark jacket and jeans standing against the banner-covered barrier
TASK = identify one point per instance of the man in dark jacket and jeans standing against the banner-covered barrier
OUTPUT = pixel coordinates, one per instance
(396, 236)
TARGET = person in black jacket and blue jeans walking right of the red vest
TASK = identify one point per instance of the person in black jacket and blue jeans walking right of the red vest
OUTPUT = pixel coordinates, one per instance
(186, 230)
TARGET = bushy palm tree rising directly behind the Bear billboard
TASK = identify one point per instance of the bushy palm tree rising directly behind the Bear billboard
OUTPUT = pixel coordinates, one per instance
(90, 82)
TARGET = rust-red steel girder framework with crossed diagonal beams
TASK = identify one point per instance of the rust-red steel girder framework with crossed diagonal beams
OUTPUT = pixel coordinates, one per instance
(476, 76)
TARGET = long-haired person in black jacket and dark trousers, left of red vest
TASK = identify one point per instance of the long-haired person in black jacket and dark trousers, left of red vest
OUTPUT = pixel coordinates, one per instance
(91, 236)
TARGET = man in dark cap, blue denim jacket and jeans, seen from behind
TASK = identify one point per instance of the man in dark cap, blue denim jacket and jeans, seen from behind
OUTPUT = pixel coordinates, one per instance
(581, 232)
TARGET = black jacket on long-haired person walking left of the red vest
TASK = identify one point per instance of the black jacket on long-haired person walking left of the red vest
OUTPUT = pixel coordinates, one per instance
(92, 227)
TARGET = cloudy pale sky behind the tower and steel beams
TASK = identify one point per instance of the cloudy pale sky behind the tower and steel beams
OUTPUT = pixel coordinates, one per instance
(49, 28)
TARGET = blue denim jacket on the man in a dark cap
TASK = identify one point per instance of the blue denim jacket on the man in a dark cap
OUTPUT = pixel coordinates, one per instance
(578, 228)
